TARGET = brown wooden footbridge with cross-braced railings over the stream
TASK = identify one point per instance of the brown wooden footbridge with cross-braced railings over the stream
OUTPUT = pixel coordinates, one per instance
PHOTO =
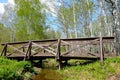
(61, 49)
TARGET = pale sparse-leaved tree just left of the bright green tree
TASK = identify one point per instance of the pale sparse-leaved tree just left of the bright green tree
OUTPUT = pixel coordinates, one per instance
(8, 20)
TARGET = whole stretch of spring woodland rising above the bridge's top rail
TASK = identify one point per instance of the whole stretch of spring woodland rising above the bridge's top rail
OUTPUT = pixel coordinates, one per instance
(37, 19)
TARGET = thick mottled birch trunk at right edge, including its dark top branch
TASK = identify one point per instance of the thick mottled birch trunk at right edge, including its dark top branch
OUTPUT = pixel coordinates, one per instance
(115, 5)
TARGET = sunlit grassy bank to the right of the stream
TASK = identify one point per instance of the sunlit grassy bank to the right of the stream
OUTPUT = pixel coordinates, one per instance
(93, 71)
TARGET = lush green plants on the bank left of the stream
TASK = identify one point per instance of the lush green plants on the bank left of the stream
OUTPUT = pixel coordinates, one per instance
(12, 70)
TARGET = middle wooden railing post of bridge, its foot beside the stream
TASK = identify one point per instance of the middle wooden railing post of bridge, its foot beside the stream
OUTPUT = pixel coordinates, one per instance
(58, 58)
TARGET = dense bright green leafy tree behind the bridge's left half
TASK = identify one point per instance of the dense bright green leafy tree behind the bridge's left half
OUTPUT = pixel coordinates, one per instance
(30, 20)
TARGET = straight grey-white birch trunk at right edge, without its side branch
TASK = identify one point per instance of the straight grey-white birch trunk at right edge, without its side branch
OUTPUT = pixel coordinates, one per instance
(116, 14)
